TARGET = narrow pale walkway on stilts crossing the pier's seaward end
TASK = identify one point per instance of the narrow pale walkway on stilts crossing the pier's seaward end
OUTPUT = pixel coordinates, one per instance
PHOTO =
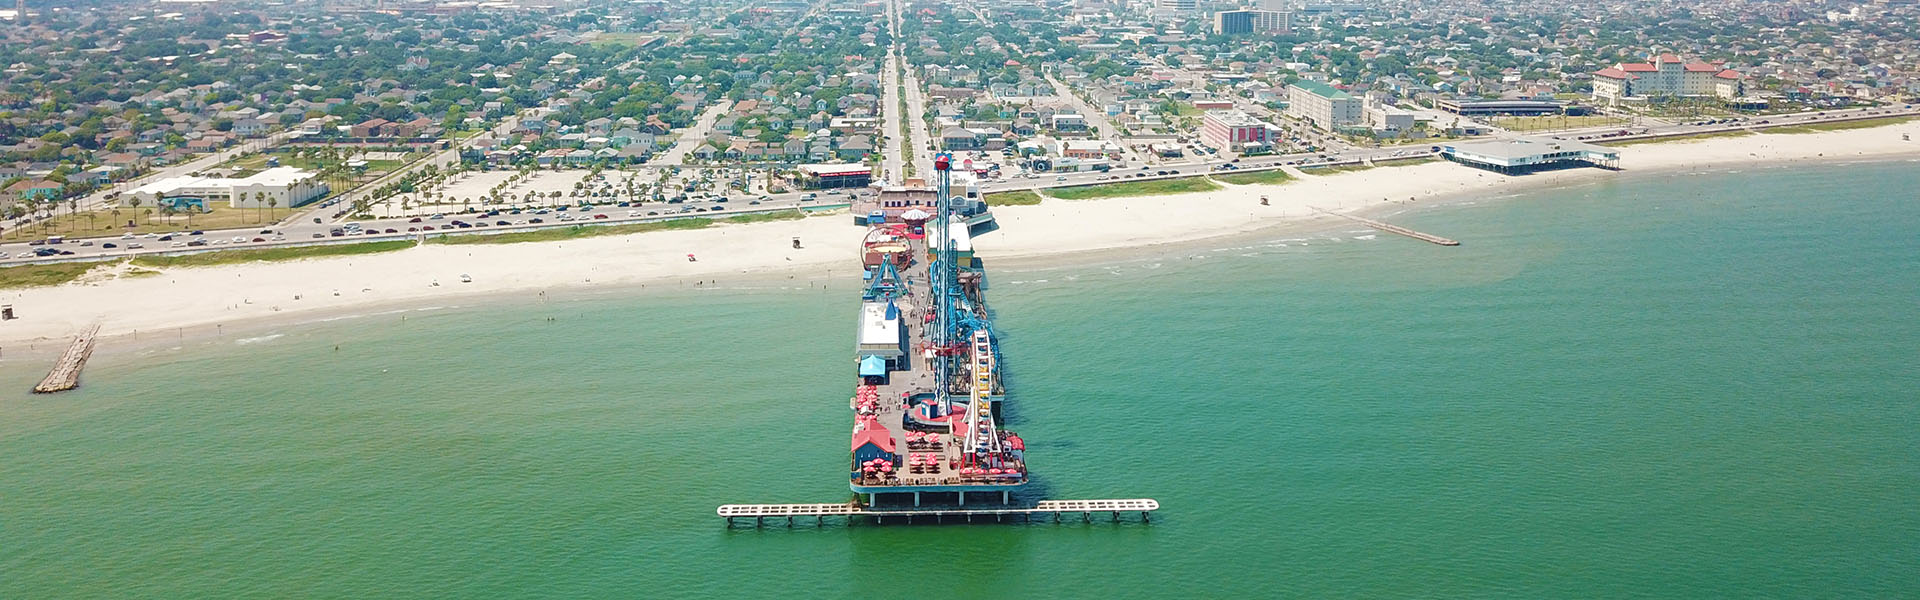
(1088, 509)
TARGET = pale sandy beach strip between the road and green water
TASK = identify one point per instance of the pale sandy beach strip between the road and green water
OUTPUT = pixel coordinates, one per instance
(203, 297)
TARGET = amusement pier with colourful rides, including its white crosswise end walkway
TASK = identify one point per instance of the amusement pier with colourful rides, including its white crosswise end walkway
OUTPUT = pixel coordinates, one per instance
(928, 434)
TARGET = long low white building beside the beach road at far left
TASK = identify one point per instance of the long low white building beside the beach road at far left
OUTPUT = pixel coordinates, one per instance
(279, 187)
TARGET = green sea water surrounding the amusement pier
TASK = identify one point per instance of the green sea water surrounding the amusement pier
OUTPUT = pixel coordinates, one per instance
(1685, 387)
